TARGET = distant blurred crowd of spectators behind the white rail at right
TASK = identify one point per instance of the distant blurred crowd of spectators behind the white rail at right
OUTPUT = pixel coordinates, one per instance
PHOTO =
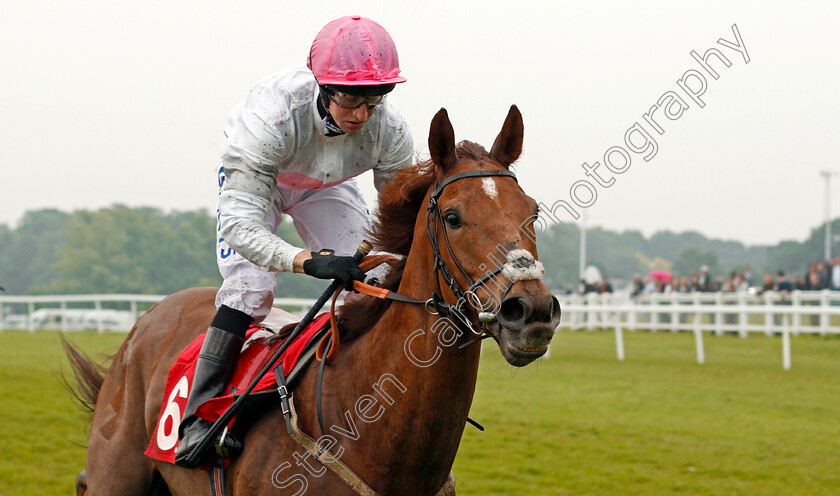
(820, 275)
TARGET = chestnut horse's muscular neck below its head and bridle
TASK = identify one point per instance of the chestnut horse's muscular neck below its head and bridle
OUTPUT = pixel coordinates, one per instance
(417, 364)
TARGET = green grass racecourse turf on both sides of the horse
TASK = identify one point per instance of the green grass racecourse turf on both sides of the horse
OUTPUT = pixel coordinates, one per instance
(579, 423)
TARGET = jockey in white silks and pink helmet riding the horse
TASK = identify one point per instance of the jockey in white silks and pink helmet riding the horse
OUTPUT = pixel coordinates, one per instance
(293, 147)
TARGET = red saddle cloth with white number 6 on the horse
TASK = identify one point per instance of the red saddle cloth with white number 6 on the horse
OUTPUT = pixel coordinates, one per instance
(164, 441)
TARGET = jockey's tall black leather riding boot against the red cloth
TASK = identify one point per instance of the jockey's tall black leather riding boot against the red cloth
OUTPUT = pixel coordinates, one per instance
(213, 371)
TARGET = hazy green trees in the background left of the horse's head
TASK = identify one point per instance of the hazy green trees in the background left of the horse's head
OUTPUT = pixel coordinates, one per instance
(121, 250)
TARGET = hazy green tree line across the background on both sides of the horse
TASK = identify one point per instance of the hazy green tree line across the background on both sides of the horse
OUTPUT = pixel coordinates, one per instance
(145, 250)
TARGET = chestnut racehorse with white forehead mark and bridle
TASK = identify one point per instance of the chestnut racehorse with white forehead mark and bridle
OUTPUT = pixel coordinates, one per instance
(397, 397)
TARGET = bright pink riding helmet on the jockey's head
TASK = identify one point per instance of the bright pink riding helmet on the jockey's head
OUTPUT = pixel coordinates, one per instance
(354, 51)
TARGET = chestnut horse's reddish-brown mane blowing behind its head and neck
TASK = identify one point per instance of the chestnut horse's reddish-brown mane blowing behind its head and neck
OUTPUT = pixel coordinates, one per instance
(400, 201)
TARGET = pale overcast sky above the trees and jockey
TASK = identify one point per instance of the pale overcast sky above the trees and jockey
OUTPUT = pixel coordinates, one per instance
(124, 102)
